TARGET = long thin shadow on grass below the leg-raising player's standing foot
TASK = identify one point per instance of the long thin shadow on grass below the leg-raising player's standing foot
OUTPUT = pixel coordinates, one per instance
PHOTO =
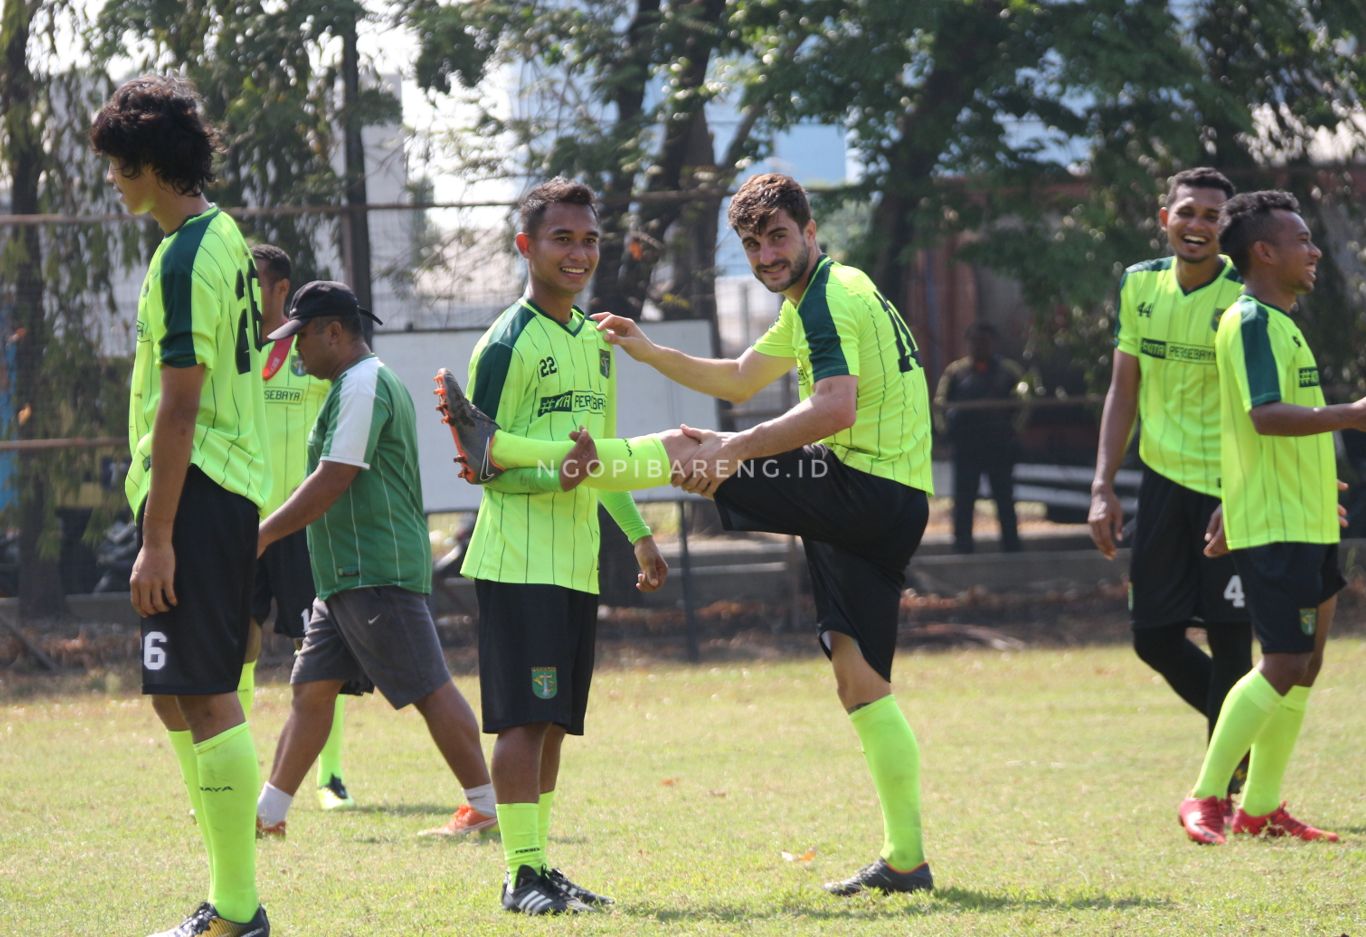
(945, 901)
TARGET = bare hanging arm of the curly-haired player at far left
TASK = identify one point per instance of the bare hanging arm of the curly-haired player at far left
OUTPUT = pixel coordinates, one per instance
(152, 584)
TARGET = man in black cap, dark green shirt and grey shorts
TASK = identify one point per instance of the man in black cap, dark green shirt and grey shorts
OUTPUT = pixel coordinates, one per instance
(371, 557)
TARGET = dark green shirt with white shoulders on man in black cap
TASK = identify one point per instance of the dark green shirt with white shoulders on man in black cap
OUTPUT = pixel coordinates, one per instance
(376, 533)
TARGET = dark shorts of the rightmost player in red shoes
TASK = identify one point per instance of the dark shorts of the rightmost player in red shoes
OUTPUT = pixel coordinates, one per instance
(1286, 584)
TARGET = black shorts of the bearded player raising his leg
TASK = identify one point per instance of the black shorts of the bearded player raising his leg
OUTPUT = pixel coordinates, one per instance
(860, 532)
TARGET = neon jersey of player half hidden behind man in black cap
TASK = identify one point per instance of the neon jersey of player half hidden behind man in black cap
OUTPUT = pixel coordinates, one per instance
(293, 401)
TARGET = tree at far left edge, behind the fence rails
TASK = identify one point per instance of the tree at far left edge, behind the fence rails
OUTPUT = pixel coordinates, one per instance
(58, 288)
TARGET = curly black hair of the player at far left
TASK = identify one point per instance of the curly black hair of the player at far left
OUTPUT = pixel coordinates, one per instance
(156, 122)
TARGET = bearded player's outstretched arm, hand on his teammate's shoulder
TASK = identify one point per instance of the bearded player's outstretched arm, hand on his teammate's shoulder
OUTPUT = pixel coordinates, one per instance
(730, 379)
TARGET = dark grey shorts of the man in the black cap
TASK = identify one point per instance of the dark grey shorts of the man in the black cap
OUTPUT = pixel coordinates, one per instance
(382, 637)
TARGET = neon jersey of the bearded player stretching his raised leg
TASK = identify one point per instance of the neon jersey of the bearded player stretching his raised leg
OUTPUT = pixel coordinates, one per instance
(844, 326)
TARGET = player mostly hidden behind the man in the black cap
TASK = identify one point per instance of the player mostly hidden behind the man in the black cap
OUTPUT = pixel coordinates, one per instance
(293, 400)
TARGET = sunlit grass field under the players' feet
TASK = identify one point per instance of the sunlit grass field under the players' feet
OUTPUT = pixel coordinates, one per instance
(1051, 783)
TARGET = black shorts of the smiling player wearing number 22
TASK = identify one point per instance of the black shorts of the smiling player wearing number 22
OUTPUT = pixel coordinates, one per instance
(536, 655)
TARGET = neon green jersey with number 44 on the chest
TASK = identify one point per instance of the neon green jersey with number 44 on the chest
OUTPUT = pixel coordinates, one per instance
(1173, 335)
